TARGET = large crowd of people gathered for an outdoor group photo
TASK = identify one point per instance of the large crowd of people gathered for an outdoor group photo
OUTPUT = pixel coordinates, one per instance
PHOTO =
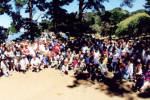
(126, 59)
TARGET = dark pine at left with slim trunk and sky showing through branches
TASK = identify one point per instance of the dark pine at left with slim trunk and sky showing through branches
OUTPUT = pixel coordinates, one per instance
(28, 23)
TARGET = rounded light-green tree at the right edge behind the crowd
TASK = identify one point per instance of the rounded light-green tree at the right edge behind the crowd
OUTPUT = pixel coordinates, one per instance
(135, 25)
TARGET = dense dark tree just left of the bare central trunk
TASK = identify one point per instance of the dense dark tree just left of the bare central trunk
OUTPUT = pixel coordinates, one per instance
(56, 13)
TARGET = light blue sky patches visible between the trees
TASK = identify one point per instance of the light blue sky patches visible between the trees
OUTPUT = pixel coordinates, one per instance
(73, 7)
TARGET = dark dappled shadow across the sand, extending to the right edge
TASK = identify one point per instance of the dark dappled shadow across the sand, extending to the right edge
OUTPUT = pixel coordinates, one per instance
(110, 86)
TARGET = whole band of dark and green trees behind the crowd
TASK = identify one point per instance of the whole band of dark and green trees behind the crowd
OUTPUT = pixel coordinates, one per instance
(56, 18)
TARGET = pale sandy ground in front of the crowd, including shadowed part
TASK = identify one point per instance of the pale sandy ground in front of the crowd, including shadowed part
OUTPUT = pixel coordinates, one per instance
(50, 84)
